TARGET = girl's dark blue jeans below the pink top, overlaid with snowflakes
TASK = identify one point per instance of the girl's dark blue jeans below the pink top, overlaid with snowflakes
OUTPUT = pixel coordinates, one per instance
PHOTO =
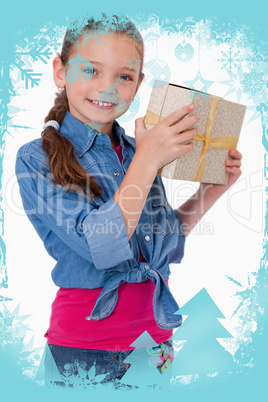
(91, 367)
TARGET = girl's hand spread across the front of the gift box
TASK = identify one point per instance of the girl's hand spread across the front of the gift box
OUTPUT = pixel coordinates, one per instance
(165, 142)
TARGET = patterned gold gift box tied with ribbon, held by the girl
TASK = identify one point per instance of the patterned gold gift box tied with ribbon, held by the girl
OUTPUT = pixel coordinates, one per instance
(219, 128)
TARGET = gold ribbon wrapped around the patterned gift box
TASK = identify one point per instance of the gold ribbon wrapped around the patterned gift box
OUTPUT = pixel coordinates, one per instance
(223, 142)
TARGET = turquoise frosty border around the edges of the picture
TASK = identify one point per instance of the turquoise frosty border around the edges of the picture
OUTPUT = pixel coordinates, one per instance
(18, 17)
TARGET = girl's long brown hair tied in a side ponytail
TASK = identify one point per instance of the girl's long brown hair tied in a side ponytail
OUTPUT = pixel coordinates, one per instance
(64, 167)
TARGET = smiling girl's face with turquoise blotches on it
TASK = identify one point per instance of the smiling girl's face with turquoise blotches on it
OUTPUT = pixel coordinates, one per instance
(102, 77)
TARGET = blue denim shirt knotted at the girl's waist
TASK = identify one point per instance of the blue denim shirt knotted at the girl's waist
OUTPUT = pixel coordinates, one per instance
(89, 240)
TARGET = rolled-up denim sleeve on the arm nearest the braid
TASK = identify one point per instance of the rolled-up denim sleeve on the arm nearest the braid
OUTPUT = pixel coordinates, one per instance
(98, 234)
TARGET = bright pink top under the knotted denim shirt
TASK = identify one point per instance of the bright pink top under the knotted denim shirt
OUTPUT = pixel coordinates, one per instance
(132, 315)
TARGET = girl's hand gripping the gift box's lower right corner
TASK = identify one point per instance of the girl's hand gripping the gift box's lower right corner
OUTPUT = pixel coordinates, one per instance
(233, 166)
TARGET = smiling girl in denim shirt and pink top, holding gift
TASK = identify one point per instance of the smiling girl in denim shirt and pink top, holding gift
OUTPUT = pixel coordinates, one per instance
(95, 199)
